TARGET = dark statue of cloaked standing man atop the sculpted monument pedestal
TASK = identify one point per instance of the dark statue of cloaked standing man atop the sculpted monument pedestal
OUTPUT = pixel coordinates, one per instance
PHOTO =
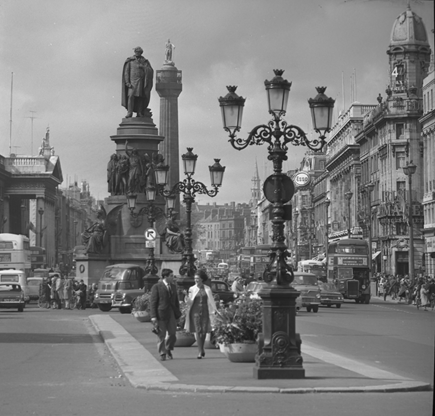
(137, 82)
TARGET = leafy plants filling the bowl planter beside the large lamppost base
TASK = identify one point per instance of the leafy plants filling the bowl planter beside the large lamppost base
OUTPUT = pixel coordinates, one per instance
(239, 322)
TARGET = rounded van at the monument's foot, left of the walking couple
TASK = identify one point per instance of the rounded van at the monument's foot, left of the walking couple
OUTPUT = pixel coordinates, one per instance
(119, 286)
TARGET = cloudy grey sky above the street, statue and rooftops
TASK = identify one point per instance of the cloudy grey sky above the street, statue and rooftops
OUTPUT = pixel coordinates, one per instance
(67, 56)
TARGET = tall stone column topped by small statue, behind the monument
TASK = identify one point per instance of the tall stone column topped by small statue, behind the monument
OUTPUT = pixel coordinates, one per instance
(169, 86)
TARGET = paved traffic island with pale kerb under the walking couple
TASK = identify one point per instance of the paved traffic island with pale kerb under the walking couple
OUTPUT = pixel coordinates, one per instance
(133, 346)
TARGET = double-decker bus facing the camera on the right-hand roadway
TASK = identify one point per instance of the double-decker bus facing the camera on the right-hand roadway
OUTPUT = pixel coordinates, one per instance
(348, 268)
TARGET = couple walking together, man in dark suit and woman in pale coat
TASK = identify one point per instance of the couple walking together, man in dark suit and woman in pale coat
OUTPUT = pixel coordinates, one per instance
(165, 310)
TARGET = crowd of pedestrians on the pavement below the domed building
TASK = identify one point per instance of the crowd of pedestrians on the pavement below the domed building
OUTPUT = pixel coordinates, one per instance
(420, 292)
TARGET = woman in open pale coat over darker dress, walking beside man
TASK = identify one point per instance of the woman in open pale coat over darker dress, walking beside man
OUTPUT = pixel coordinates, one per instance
(201, 308)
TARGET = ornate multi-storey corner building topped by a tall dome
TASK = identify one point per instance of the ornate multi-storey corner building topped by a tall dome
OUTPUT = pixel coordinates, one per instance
(390, 138)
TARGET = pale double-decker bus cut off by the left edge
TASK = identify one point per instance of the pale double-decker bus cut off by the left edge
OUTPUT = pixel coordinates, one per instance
(15, 253)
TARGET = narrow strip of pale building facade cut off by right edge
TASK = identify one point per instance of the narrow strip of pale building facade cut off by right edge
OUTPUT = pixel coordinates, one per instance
(427, 121)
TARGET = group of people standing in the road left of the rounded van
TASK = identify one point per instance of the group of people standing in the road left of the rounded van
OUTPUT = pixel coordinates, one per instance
(58, 292)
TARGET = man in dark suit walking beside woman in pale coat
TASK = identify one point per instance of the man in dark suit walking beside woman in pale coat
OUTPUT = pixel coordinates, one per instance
(164, 311)
